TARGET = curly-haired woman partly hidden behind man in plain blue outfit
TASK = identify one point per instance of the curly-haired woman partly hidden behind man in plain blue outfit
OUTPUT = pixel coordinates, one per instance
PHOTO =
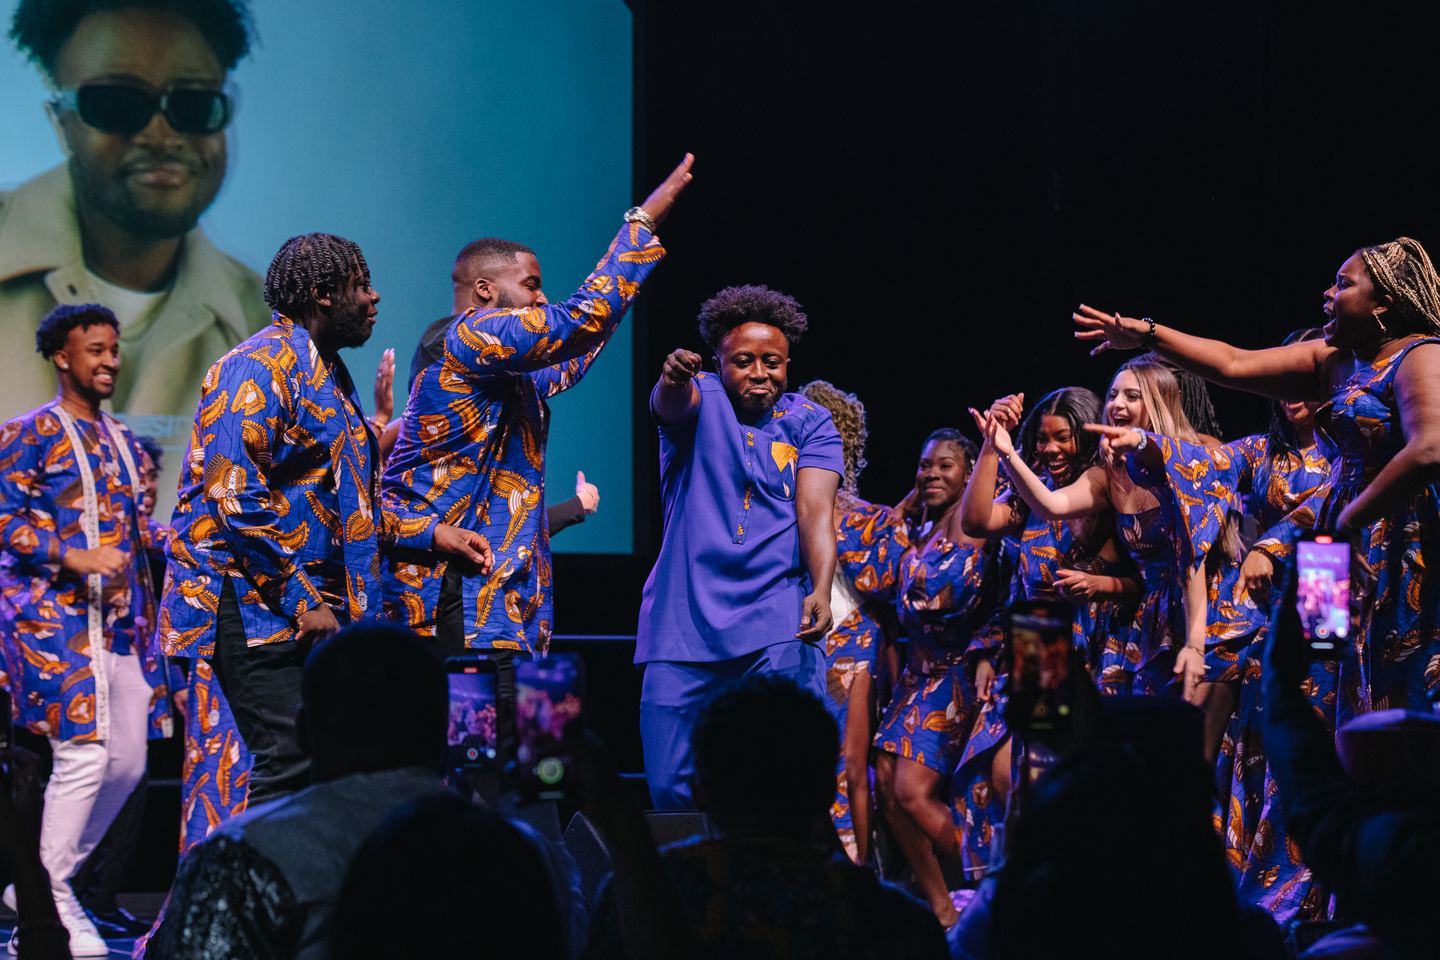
(860, 650)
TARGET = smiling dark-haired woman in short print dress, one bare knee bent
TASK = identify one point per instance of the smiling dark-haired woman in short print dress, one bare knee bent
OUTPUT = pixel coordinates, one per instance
(947, 598)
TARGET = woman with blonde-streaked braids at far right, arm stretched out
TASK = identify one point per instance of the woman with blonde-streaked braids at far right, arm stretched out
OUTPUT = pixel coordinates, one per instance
(1377, 373)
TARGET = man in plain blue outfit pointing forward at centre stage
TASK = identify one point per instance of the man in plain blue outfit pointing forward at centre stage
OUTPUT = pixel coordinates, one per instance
(748, 477)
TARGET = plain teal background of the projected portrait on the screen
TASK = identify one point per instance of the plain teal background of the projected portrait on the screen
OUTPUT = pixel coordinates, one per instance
(413, 130)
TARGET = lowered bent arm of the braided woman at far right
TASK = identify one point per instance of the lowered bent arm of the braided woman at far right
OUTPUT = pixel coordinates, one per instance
(1418, 464)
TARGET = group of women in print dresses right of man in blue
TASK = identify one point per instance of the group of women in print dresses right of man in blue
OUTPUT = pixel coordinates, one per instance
(1131, 509)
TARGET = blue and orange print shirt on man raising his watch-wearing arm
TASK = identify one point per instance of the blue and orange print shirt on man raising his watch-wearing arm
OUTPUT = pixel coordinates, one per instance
(472, 451)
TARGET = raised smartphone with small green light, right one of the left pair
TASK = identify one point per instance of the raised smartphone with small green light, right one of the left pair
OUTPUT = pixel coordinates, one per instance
(549, 694)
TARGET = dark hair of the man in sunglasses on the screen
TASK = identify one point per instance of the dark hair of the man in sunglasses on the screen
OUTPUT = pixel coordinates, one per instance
(41, 28)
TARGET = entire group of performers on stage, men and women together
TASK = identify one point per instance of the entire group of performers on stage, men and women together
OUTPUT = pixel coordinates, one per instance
(1127, 506)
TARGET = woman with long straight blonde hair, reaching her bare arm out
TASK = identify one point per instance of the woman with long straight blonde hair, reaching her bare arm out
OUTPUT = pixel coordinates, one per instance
(1169, 633)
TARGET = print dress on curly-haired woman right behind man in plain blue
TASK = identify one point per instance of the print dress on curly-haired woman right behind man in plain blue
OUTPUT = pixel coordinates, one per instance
(868, 562)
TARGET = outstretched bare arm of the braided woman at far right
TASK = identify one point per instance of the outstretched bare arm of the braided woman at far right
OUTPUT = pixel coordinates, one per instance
(1281, 373)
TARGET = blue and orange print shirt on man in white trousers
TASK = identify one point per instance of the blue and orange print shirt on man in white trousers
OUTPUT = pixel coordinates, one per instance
(53, 502)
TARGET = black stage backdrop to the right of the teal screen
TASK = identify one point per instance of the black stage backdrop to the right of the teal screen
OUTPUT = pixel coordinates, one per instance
(942, 184)
